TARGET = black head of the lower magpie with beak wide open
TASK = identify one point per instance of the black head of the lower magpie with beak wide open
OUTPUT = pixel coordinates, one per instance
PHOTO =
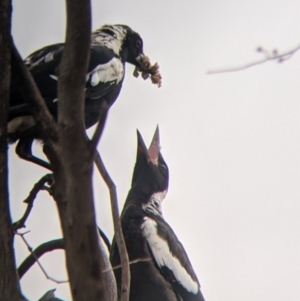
(151, 174)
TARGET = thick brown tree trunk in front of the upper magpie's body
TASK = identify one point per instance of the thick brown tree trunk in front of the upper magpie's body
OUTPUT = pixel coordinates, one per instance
(73, 171)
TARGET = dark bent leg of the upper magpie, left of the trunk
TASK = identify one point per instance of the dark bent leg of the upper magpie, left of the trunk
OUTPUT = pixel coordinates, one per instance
(23, 150)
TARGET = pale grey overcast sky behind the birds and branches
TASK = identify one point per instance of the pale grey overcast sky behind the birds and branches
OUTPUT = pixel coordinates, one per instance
(231, 141)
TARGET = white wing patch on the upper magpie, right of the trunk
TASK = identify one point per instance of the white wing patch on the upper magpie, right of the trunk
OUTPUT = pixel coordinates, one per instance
(113, 70)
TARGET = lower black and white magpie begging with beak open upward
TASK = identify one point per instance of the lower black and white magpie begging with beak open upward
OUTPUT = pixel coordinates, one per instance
(160, 268)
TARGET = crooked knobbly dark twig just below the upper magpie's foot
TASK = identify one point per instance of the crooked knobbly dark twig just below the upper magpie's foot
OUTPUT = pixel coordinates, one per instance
(30, 199)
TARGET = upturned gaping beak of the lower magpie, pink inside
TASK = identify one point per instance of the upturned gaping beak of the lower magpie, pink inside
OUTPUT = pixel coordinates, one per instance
(152, 152)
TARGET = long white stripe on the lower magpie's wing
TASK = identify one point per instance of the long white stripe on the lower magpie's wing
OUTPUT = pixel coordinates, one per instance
(164, 257)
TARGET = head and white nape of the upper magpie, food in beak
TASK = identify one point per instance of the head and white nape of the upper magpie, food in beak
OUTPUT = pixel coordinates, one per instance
(128, 45)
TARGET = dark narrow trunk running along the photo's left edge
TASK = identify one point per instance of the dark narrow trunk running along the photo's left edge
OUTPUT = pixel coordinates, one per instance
(9, 282)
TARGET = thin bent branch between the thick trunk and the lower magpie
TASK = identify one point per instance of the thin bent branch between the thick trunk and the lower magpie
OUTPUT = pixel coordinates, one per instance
(117, 227)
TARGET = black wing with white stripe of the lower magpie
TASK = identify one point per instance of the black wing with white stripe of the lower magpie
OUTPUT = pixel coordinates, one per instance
(171, 259)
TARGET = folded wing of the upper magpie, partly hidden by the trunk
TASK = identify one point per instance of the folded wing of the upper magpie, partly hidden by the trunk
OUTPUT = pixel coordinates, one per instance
(105, 71)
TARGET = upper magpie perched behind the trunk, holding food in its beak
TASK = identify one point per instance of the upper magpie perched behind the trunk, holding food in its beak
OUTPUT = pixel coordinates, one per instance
(111, 47)
